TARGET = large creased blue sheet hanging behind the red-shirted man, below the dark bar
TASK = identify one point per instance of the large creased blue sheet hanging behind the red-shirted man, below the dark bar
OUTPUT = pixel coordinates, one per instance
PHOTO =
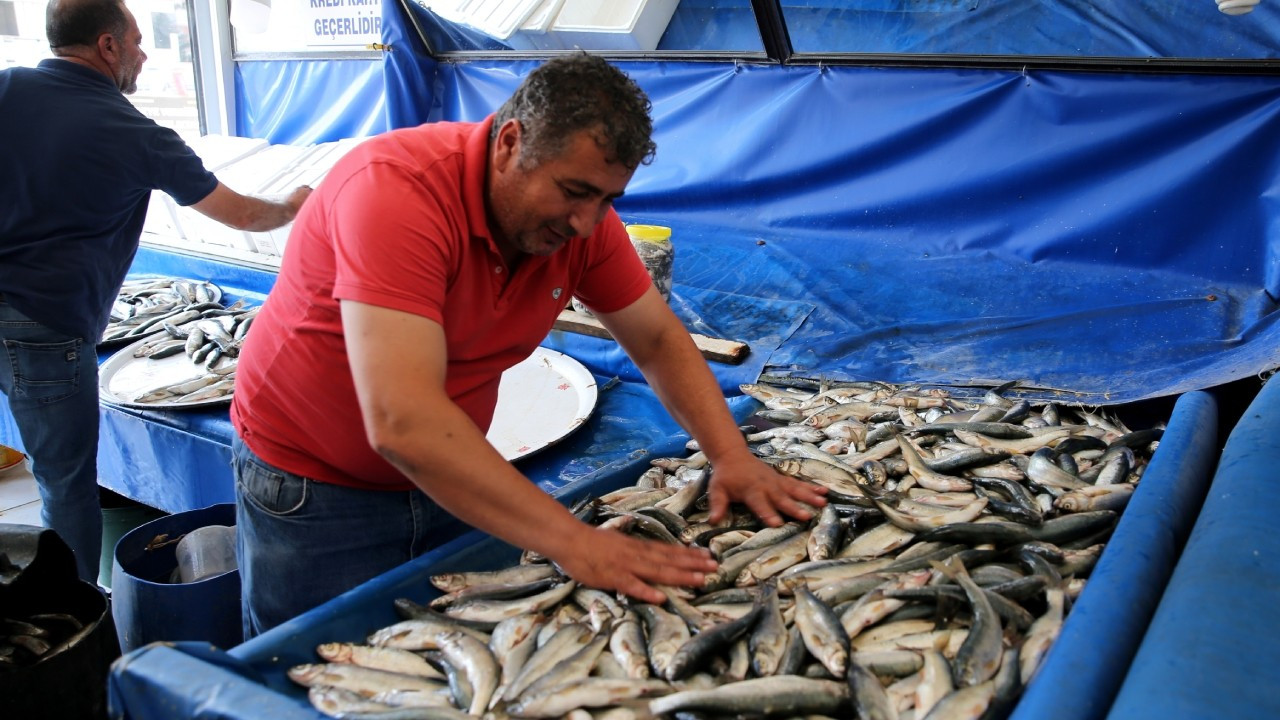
(1103, 235)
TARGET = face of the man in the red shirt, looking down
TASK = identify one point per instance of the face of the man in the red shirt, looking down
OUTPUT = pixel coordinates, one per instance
(538, 209)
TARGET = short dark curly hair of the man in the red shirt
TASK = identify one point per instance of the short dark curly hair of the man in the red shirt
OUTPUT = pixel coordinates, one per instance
(580, 93)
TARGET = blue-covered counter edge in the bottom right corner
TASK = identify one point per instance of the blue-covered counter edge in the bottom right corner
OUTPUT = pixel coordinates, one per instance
(1214, 639)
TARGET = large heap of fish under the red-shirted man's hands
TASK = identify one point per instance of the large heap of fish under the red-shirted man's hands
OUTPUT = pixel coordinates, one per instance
(932, 585)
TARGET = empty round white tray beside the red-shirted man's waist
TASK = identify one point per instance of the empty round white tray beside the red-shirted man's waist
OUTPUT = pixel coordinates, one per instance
(541, 400)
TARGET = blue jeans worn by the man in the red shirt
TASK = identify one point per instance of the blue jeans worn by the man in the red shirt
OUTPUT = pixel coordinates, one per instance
(301, 543)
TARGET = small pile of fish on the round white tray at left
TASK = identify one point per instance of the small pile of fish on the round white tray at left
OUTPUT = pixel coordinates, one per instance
(182, 317)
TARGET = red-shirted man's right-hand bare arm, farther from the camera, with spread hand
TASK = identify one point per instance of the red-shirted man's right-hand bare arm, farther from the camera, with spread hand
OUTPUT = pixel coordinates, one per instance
(660, 345)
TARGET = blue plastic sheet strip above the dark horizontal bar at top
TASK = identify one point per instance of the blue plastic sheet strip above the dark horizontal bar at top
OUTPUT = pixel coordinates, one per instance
(1064, 29)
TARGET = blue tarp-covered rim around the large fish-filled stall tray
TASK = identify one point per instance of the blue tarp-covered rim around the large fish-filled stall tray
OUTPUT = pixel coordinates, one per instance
(1077, 680)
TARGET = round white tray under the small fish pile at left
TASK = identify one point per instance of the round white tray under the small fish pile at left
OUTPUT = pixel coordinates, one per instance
(124, 377)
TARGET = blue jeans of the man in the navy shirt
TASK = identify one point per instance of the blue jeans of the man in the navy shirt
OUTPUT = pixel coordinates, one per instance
(52, 384)
